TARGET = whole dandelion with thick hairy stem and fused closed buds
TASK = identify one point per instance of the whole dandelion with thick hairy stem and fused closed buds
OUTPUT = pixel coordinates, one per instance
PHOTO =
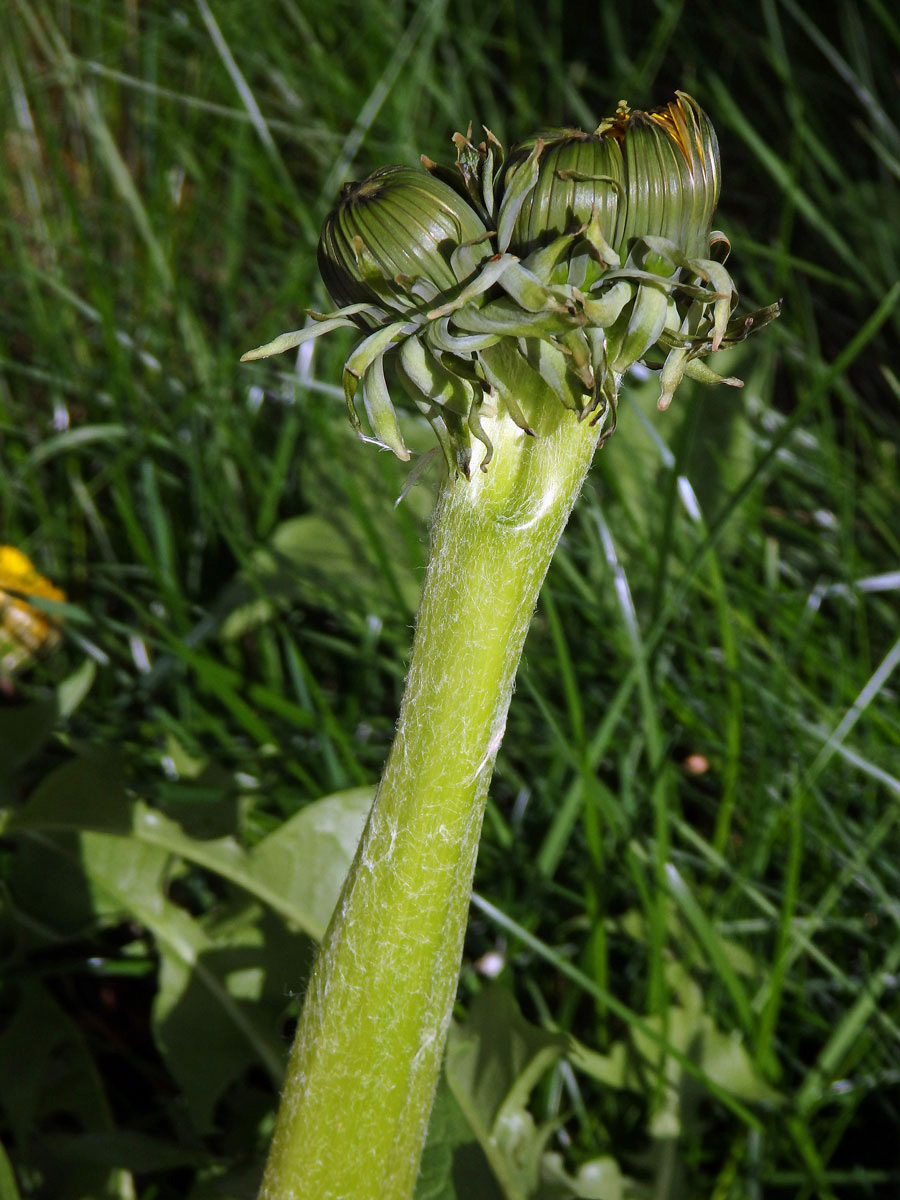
(507, 297)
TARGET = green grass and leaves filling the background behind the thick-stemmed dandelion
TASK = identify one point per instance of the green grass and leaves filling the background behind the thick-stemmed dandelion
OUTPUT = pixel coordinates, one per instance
(245, 590)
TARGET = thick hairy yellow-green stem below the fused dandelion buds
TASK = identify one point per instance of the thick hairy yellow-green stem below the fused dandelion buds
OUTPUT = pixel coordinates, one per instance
(368, 1053)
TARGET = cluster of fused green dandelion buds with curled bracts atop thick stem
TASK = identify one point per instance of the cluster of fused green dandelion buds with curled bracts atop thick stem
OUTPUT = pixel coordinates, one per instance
(535, 283)
